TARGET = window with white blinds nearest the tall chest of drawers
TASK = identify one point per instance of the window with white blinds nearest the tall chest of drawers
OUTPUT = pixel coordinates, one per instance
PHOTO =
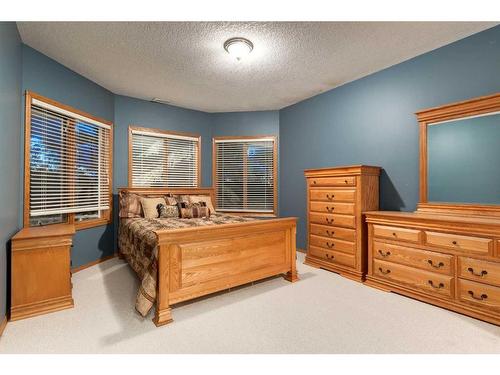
(245, 172)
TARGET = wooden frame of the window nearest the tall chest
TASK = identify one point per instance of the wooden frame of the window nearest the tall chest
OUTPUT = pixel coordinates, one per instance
(275, 173)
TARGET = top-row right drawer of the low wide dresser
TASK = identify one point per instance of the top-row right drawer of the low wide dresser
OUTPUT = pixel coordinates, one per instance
(478, 245)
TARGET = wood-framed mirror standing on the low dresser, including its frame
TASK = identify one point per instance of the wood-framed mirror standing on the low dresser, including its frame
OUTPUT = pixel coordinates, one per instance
(460, 157)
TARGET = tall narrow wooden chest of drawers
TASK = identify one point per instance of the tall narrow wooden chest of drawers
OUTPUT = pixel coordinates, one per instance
(337, 236)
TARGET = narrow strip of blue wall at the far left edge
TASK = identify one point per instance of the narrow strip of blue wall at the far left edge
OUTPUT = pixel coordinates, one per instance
(10, 165)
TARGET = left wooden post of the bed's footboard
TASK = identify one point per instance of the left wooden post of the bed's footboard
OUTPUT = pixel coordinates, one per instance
(163, 313)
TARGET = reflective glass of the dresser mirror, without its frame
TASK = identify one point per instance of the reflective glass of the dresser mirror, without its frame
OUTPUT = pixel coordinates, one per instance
(463, 160)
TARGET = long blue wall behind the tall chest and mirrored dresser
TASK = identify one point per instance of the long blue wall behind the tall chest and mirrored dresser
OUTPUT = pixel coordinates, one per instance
(371, 120)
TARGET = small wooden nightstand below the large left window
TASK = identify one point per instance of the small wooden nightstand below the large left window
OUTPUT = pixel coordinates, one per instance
(40, 270)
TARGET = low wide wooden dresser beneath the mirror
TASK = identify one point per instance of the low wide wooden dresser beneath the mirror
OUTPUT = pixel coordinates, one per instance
(452, 261)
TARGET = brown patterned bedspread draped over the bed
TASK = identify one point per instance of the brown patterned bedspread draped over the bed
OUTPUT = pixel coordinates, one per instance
(137, 242)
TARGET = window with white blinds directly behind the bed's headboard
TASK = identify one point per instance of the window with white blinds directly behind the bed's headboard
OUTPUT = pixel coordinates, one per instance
(163, 159)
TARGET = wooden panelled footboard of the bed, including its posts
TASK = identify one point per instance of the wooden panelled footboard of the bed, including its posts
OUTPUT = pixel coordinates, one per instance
(198, 261)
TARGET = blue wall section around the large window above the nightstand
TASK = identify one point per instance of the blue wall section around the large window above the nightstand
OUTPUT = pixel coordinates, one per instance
(51, 79)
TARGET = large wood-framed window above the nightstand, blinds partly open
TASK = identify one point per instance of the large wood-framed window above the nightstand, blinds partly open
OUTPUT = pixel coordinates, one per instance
(68, 165)
